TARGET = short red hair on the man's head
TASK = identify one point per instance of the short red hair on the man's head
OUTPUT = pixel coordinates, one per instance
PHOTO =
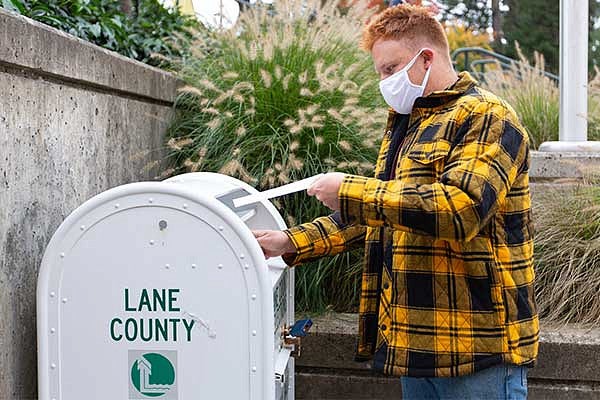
(405, 21)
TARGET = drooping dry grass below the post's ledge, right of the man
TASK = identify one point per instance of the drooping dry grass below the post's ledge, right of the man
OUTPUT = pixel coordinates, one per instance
(567, 251)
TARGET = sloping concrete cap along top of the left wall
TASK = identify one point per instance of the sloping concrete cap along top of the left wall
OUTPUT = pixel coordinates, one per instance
(41, 50)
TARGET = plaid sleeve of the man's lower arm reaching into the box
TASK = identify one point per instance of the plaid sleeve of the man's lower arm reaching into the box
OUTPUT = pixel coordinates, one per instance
(325, 236)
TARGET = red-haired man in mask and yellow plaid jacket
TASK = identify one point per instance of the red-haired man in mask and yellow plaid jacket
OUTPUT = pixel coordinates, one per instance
(447, 298)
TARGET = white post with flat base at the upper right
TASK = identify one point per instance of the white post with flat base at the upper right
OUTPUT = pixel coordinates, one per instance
(573, 79)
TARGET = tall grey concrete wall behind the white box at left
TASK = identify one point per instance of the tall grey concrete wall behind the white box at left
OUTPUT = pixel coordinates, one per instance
(75, 120)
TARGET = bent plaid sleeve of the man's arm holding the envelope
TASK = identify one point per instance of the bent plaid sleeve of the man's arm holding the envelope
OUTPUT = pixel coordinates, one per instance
(478, 172)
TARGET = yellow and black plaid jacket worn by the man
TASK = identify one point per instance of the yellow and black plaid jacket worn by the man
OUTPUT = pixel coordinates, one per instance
(447, 283)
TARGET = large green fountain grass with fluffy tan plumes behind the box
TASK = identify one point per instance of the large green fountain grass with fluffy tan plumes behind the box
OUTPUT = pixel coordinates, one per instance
(286, 95)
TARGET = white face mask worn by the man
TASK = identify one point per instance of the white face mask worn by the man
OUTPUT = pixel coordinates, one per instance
(399, 92)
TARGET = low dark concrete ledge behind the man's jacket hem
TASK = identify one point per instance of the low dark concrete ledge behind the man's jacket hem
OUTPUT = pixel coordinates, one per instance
(567, 364)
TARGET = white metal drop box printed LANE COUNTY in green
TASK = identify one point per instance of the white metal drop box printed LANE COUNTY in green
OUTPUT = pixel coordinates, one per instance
(159, 290)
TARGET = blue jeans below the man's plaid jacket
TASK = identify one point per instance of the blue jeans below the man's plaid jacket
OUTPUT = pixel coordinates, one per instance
(501, 382)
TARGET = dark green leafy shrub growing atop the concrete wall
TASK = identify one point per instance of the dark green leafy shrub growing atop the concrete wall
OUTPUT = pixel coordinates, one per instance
(154, 30)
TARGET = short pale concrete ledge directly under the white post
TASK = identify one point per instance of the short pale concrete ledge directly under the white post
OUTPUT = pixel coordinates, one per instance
(561, 165)
